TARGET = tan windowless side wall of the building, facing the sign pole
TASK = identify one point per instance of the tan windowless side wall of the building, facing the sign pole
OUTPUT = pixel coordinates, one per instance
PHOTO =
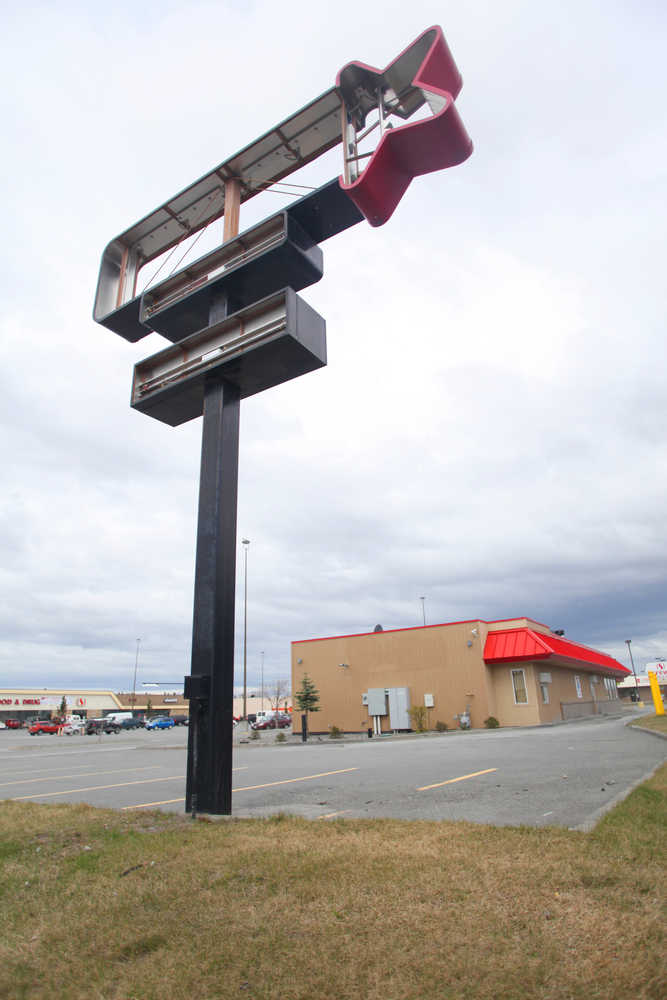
(433, 660)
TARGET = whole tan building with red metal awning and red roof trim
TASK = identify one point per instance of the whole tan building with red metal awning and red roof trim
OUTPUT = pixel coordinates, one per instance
(518, 671)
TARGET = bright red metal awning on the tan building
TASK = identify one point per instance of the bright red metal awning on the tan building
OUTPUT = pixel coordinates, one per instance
(516, 645)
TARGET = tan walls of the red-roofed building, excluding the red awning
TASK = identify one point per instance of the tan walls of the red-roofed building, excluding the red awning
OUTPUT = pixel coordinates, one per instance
(443, 660)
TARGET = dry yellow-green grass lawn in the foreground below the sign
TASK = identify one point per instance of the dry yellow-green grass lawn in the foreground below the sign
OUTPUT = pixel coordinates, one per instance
(102, 904)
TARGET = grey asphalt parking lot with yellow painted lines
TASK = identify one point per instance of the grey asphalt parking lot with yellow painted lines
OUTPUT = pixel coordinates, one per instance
(563, 775)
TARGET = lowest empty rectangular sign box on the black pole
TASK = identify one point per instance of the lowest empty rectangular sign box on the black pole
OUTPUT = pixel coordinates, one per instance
(266, 344)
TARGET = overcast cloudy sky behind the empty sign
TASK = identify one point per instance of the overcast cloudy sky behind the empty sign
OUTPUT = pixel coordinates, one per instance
(490, 430)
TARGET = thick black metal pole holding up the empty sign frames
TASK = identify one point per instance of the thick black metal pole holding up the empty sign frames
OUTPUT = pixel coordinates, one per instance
(209, 769)
